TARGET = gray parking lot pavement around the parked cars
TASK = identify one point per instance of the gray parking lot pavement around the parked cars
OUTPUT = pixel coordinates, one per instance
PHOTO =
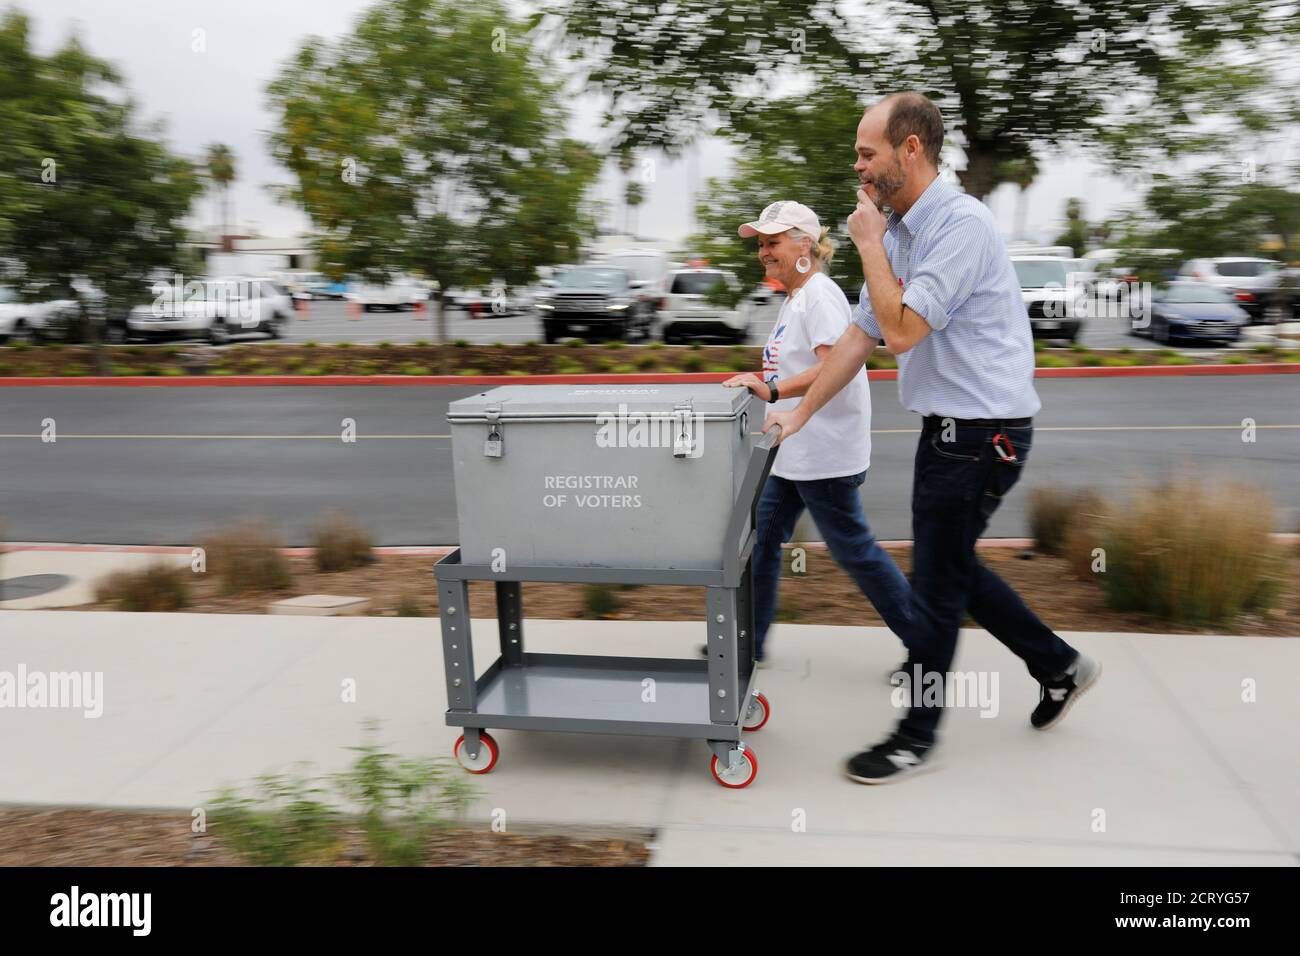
(331, 322)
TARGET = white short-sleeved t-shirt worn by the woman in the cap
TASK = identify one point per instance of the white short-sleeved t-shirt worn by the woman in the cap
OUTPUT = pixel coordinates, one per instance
(838, 440)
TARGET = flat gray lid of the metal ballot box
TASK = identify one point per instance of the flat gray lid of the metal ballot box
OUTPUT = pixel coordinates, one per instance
(587, 401)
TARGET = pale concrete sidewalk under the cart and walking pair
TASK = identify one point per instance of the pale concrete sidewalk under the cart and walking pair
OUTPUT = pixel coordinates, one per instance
(1184, 771)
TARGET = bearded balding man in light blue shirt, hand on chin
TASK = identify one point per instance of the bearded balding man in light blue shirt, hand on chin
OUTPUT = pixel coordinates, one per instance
(943, 295)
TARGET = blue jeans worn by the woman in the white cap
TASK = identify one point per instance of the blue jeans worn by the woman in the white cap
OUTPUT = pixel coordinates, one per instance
(838, 511)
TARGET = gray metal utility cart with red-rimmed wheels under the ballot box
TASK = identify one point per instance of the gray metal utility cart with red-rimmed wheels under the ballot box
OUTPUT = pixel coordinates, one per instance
(714, 699)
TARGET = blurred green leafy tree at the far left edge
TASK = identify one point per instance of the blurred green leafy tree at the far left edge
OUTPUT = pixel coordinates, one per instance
(84, 193)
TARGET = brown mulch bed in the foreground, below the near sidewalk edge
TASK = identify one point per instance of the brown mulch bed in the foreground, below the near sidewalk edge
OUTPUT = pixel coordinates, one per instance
(72, 837)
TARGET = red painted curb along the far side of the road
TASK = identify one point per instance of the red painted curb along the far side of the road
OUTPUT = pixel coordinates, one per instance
(634, 379)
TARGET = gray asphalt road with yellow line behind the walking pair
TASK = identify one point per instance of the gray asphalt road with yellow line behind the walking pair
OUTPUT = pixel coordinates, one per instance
(163, 465)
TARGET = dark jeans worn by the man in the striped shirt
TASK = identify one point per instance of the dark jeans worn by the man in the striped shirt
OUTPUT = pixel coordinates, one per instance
(959, 482)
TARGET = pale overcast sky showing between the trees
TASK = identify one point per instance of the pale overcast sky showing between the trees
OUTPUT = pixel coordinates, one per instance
(219, 97)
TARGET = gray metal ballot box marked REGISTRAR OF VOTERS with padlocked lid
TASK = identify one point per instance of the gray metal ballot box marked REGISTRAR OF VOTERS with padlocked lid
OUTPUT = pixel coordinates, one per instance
(603, 475)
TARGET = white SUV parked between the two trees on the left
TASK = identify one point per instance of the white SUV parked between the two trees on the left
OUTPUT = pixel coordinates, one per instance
(227, 308)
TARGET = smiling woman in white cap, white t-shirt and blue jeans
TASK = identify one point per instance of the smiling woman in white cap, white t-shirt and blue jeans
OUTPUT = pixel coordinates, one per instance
(822, 468)
